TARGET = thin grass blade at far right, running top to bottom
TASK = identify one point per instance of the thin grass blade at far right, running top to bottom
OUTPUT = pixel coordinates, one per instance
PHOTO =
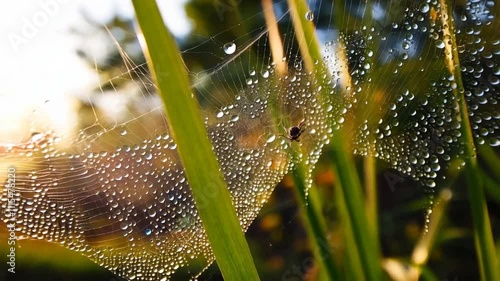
(483, 236)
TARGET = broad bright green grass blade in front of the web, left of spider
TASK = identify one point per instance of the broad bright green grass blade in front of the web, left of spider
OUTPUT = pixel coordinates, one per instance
(218, 215)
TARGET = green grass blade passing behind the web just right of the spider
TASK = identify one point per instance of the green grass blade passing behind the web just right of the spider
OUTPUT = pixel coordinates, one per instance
(368, 245)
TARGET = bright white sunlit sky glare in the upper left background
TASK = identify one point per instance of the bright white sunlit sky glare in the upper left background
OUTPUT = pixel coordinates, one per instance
(41, 72)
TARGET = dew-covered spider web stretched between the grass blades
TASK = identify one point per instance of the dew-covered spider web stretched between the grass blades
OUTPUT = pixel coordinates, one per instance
(115, 190)
